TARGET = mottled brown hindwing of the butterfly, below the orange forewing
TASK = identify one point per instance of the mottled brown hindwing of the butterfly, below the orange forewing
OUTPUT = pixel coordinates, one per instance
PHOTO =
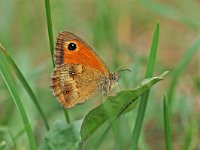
(73, 84)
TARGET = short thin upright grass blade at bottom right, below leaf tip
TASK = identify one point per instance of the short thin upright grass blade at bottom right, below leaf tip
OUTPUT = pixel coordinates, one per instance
(166, 114)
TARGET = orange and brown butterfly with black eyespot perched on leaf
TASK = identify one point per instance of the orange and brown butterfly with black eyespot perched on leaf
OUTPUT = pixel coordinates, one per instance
(79, 73)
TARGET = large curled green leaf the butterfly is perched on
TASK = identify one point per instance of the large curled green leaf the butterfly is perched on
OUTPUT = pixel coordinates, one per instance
(113, 107)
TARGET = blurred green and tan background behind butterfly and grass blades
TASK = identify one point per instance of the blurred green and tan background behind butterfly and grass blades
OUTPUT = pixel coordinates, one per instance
(121, 33)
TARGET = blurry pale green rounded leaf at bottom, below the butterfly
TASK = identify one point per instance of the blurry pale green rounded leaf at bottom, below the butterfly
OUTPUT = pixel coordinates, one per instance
(61, 136)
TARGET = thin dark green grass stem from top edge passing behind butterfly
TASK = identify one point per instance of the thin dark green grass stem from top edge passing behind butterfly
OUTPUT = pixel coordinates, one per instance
(51, 42)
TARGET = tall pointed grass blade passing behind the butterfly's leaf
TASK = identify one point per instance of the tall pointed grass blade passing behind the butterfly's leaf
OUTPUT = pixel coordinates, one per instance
(144, 98)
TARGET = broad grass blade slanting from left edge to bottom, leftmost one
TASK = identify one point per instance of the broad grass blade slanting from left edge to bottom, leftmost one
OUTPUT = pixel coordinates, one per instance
(6, 74)
